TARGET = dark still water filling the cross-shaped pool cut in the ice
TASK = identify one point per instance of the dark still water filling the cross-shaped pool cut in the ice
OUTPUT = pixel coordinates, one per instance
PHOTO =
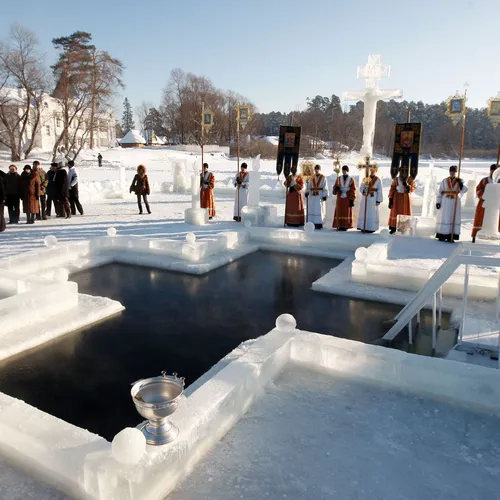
(178, 323)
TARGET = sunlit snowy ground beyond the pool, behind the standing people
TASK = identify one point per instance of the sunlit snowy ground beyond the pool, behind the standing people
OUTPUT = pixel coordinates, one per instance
(99, 186)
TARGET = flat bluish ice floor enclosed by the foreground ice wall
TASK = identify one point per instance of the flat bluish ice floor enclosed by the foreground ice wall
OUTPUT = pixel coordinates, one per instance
(317, 436)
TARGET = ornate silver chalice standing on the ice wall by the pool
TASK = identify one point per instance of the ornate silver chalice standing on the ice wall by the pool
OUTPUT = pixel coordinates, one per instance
(156, 399)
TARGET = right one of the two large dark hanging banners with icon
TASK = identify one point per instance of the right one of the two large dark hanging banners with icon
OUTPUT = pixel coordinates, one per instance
(406, 149)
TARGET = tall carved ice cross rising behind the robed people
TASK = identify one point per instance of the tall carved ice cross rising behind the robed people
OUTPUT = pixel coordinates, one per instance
(373, 72)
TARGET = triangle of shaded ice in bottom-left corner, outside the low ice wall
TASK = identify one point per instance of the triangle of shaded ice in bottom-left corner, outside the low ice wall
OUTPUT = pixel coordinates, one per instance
(17, 485)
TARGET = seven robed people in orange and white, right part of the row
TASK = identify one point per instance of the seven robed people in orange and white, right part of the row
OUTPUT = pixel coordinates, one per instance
(448, 205)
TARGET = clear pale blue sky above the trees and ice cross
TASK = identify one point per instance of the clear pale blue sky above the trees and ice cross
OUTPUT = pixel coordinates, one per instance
(278, 52)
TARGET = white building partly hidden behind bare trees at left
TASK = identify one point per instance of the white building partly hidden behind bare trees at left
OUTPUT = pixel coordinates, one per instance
(51, 122)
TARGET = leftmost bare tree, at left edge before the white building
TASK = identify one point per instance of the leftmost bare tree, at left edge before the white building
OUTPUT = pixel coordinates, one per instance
(22, 83)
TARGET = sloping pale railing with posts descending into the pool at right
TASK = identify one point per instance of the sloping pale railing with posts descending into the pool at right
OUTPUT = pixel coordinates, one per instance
(467, 254)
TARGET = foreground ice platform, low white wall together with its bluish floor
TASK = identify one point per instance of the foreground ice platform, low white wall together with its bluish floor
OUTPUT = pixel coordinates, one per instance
(359, 420)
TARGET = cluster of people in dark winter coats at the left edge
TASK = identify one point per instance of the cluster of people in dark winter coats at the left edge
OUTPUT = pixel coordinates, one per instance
(39, 191)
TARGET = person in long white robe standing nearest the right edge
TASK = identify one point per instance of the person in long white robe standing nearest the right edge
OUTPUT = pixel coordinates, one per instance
(449, 207)
